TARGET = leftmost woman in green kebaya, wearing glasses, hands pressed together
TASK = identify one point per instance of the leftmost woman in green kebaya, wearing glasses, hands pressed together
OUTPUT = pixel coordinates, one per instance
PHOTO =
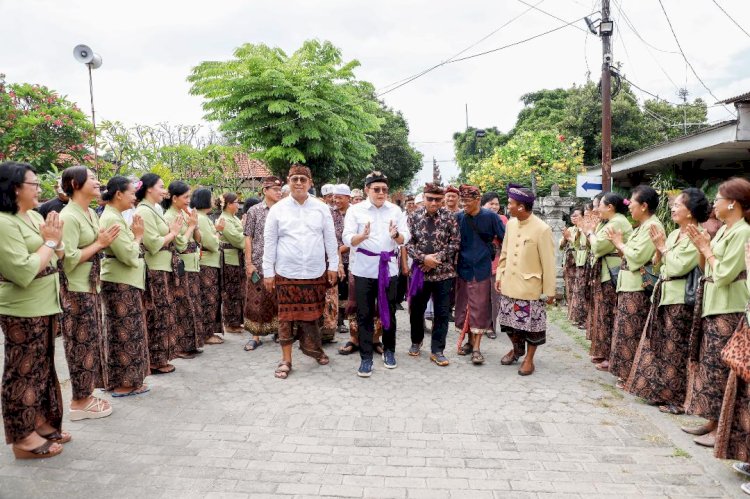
(29, 310)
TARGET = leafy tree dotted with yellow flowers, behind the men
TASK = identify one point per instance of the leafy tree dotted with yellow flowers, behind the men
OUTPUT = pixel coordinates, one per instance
(549, 156)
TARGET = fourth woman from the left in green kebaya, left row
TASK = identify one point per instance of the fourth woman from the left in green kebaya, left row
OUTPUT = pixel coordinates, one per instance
(163, 269)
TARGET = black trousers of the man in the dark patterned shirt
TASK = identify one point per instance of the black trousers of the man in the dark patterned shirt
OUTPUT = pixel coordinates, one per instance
(440, 292)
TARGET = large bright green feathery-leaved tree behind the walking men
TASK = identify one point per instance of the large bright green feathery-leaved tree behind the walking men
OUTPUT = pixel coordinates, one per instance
(307, 107)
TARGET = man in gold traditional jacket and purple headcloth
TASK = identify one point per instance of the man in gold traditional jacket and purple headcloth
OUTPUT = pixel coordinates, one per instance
(525, 279)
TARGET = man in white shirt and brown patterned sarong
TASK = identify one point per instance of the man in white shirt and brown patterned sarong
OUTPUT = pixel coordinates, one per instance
(298, 237)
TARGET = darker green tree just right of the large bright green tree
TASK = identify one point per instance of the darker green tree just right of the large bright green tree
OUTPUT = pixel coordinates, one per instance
(394, 157)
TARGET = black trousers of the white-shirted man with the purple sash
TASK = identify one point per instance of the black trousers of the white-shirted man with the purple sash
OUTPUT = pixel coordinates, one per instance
(367, 310)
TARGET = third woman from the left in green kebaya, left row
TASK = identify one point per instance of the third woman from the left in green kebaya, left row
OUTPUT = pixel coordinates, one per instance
(123, 278)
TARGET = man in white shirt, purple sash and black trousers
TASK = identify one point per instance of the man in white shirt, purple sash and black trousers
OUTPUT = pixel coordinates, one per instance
(374, 229)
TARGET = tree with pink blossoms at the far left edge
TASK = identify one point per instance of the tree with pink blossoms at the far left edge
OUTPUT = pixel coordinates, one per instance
(40, 127)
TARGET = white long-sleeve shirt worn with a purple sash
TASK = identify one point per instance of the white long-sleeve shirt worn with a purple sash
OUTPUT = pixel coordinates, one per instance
(357, 216)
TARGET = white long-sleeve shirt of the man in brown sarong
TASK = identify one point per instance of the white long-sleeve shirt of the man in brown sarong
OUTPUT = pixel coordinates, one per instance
(297, 238)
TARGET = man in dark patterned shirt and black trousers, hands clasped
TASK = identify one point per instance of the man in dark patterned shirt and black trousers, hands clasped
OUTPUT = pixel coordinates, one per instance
(433, 246)
